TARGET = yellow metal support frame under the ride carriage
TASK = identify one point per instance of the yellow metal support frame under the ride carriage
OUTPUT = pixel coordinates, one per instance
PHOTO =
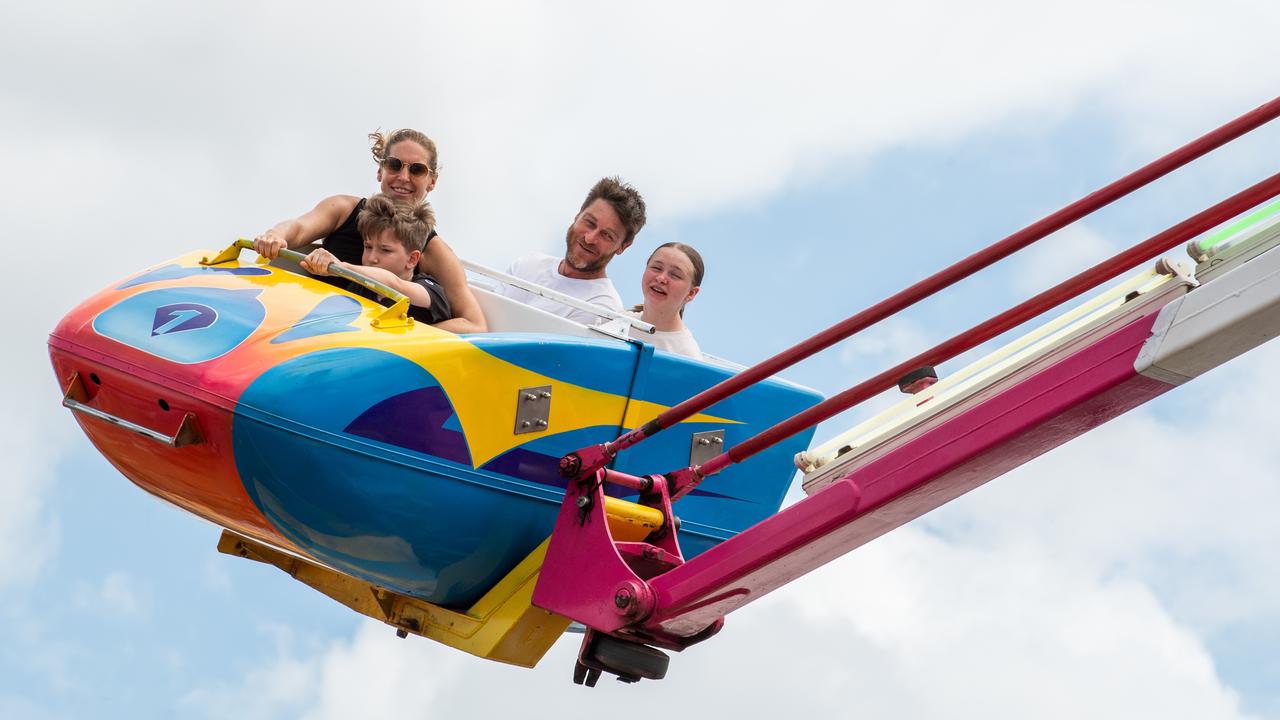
(502, 626)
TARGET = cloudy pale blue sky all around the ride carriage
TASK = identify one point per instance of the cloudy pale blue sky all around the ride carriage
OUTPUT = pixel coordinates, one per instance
(821, 156)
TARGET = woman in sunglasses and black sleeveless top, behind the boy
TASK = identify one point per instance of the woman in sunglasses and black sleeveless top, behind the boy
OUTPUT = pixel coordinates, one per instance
(408, 171)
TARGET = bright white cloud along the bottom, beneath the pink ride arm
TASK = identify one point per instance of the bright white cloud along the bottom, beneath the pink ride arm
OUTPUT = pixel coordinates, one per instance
(909, 627)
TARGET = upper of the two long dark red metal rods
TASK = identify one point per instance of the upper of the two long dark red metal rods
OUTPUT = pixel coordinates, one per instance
(593, 458)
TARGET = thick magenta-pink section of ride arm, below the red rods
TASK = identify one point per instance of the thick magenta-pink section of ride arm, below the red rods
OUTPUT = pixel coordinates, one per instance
(1082, 391)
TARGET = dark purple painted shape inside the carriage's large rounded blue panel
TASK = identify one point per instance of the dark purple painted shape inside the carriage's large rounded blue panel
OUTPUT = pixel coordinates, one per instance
(414, 421)
